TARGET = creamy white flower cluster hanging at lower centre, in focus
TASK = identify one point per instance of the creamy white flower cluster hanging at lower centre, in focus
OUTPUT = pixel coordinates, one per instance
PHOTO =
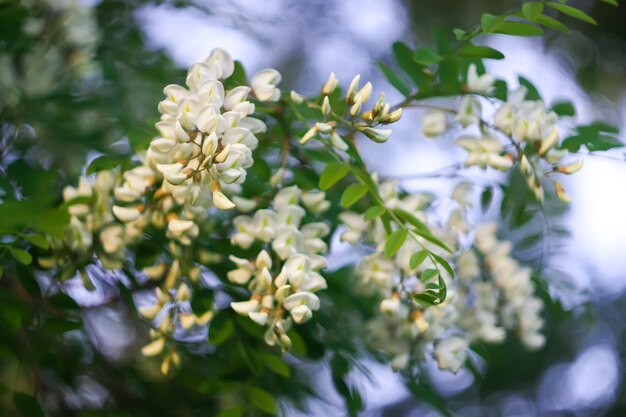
(284, 276)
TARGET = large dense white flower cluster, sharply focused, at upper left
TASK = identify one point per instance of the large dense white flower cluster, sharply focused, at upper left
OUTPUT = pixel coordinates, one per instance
(206, 143)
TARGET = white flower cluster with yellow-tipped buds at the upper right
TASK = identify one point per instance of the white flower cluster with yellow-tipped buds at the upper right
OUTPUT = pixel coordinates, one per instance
(522, 122)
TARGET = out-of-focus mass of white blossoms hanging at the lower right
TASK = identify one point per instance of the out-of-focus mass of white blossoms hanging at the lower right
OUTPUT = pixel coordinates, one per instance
(477, 307)
